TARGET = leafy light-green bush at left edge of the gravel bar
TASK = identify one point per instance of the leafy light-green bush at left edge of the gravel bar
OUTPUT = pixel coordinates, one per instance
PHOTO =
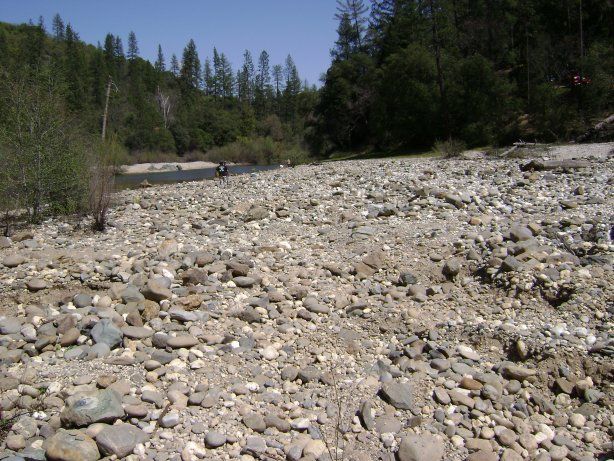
(42, 154)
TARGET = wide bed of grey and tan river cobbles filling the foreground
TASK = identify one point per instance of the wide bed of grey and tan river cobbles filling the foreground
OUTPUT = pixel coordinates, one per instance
(417, 310)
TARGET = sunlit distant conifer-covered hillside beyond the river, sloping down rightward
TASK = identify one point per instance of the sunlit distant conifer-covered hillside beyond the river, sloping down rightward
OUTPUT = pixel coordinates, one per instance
(176, 105)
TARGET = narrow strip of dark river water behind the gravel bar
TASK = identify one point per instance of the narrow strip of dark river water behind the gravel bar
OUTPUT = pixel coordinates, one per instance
(129, 181)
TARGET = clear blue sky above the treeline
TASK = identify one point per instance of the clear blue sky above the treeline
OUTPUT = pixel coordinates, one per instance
(305, 29)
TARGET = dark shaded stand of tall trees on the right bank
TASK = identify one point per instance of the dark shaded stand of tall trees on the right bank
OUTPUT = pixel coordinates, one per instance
(406, 73)
